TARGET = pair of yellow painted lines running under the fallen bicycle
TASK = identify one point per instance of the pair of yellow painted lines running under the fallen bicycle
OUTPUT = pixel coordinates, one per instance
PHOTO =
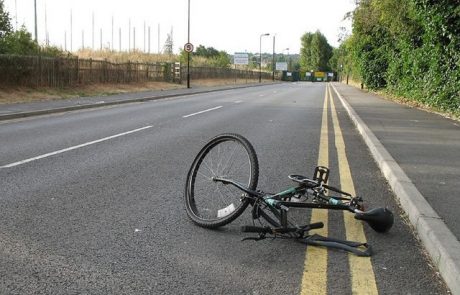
(314, 279)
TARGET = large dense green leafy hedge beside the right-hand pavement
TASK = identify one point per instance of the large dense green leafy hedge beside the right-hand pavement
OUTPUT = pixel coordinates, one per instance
(408, 49)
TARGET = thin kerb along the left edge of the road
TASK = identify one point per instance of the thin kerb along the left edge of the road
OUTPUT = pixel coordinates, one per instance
(110, 103)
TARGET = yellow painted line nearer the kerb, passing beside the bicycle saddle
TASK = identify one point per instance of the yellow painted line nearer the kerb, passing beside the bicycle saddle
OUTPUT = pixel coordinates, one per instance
(362, 274)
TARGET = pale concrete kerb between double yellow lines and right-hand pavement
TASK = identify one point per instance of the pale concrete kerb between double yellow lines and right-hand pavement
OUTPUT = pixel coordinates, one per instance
(442, 246)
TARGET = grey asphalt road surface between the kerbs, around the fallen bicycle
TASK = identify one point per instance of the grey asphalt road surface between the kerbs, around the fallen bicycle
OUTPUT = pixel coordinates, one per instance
(91, 200)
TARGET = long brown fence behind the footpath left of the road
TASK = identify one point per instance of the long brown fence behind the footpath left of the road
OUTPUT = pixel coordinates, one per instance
(39, 71)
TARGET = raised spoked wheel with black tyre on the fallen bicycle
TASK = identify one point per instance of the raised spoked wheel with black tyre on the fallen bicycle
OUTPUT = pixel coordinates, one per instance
(210, 203)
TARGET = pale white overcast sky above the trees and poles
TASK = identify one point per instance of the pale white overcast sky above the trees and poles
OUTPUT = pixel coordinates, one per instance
(231, 26)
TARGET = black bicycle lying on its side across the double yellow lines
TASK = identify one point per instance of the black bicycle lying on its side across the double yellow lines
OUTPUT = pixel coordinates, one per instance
(222, 182)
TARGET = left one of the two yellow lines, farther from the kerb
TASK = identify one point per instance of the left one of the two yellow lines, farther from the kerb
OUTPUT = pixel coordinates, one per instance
(314, 279)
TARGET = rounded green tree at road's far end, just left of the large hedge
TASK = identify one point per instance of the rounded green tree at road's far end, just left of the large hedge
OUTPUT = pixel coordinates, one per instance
(315, 52)
